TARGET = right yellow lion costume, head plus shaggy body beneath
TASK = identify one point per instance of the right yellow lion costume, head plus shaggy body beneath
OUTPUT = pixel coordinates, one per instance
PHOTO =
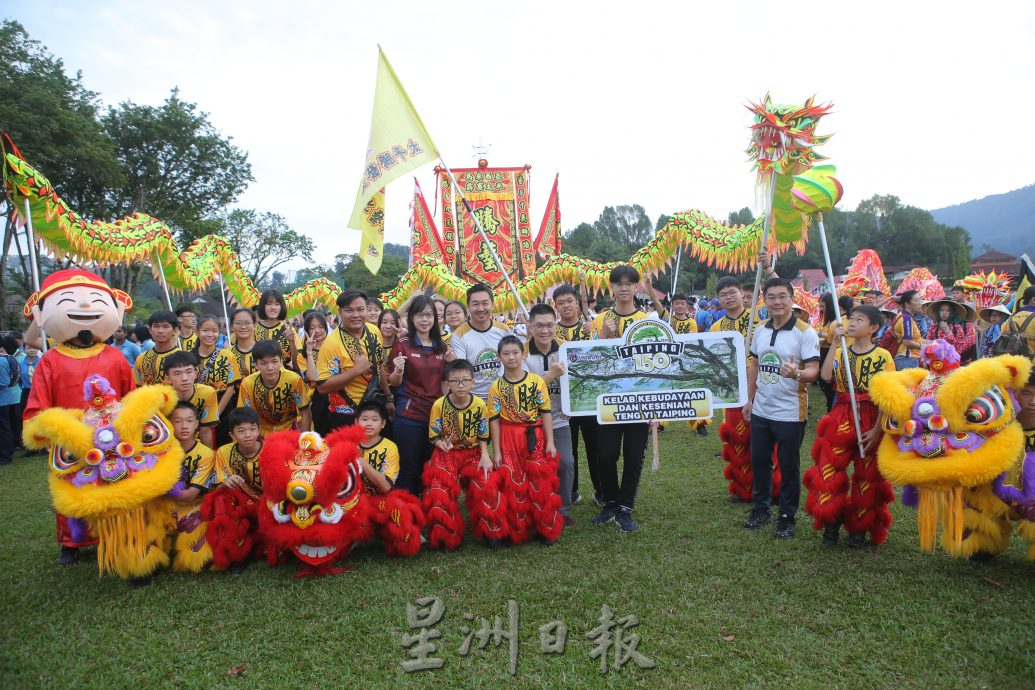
(953, 439)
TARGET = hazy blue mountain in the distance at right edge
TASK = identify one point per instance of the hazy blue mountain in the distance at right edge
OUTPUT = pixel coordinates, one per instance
(1004, 222)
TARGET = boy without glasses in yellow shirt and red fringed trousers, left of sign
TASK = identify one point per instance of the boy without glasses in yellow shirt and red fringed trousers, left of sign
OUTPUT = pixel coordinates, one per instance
(522, 431)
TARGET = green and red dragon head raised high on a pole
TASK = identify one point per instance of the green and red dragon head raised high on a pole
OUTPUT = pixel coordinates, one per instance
(784, 137)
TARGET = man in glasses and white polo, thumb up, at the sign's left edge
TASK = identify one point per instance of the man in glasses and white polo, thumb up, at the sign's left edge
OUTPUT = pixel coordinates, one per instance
(542, 358)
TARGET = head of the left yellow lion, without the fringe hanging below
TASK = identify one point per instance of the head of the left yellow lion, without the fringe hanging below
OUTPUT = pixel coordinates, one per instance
(114, 456)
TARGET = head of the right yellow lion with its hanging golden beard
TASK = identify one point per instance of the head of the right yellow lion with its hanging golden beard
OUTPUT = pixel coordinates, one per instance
(950, 429)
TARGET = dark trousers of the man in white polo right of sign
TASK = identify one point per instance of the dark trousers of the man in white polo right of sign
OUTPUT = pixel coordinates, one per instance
(786, 438)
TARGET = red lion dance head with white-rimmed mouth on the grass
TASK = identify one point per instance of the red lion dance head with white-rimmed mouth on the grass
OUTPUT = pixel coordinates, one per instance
(312, 492)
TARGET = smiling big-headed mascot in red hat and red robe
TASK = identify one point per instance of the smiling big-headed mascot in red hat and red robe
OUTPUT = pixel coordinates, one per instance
(80, 312)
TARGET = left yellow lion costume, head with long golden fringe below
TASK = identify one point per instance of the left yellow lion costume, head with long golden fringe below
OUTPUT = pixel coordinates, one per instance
(113, 466)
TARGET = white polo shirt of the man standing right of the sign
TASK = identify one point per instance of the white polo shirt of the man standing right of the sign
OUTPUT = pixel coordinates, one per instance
(777, 398)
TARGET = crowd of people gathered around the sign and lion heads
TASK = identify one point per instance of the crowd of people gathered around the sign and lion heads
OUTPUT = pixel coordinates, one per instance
(456, 398)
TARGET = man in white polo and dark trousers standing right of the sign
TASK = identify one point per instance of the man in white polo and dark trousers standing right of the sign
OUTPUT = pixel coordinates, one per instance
(785, 359)
